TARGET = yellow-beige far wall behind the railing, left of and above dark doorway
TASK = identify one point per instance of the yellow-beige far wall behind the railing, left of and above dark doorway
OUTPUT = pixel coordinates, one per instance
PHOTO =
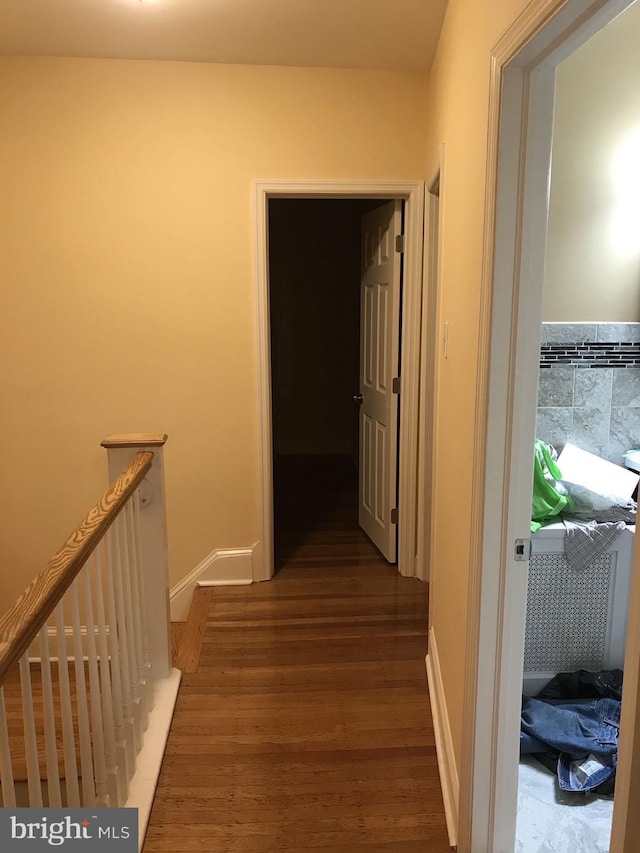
(127, 296)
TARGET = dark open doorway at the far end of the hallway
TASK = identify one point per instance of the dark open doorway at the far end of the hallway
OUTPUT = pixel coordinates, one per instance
(315, 274)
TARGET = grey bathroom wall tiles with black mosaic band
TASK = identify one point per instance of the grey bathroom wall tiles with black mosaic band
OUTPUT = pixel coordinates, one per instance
(589, 388)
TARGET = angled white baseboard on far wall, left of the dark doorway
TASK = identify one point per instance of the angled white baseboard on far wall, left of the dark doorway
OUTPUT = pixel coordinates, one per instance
(231, 567)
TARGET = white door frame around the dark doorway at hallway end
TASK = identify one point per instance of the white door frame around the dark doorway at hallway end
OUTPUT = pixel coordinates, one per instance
(412, 194)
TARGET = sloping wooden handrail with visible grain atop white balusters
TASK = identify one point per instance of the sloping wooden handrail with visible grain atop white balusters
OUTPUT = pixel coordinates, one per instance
(22, 622)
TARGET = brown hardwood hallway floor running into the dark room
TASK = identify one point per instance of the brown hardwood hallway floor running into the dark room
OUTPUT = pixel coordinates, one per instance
(305, 722)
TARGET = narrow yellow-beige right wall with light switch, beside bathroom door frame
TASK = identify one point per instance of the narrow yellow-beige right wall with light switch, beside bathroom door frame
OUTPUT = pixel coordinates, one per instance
(458, 109)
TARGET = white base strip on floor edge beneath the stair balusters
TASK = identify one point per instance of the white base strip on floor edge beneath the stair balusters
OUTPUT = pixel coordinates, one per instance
(142, 787)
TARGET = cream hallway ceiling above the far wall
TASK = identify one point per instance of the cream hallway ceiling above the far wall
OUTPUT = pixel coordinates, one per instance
(401, 34)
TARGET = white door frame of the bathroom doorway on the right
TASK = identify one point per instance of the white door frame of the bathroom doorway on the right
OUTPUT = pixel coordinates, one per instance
(521, 104)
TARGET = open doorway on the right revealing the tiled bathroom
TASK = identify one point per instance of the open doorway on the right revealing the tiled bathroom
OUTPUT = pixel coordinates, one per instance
(577, 601)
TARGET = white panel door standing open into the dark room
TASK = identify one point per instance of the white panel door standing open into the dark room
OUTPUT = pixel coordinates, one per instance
(379, 361)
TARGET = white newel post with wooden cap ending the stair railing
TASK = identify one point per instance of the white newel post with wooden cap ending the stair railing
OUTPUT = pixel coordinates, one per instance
(121, 449)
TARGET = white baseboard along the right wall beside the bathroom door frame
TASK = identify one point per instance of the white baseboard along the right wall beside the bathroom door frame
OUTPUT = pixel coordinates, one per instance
(444, 742)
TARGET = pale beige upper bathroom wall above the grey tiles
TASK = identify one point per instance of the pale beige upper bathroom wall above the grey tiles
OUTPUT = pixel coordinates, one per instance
(593, 257)
